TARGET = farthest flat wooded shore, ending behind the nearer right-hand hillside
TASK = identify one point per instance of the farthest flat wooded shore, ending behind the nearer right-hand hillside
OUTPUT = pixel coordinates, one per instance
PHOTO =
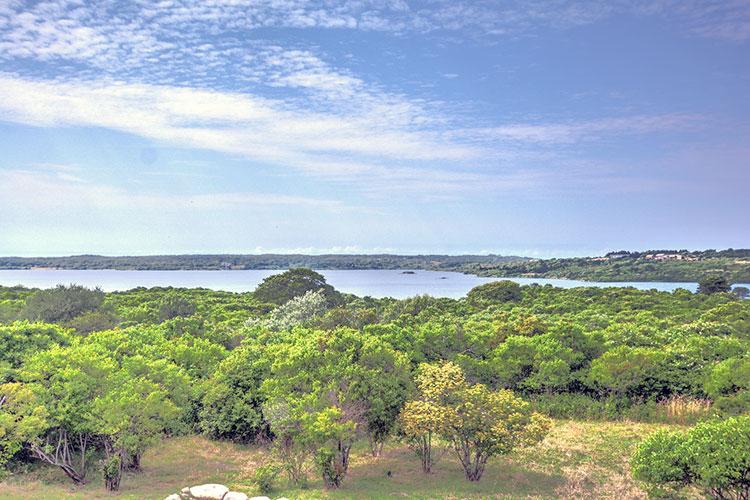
(268, 261)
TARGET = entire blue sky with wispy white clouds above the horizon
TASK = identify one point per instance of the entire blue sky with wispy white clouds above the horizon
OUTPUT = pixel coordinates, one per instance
(546, 128)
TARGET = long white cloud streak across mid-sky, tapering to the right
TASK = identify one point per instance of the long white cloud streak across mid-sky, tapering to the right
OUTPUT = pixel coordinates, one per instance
(379, 148)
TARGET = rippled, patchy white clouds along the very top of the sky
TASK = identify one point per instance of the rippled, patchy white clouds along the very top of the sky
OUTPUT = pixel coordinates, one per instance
(205, 42)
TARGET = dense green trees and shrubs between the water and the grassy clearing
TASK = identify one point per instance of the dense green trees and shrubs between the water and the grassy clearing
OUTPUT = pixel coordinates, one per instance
(313, 378)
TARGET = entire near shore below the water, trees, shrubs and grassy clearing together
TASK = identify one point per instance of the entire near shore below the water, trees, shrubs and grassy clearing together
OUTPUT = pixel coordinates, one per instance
(322, 388)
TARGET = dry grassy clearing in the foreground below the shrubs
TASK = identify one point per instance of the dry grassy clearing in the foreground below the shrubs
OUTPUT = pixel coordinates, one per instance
(586, 460)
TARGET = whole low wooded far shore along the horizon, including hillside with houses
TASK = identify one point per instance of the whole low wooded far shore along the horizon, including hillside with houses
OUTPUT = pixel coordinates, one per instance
(652, 265)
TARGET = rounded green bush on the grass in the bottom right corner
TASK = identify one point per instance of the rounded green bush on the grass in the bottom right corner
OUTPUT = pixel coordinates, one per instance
(712, 456)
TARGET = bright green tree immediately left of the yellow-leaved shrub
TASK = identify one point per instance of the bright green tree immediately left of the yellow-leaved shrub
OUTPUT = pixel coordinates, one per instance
(326, 382)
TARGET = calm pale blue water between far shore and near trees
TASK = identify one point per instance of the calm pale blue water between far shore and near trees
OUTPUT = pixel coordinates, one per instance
(376, 283)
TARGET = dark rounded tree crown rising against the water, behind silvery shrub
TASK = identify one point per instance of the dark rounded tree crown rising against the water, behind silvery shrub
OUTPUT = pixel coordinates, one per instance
(281, 288)
